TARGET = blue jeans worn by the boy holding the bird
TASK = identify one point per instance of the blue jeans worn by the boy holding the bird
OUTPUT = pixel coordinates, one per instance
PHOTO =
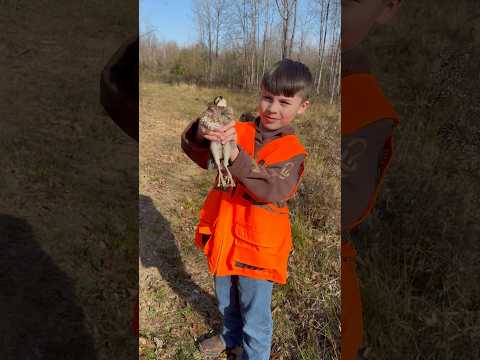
(245, 305)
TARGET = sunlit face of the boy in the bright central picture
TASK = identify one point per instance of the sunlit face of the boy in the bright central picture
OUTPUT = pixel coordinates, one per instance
(277, 111)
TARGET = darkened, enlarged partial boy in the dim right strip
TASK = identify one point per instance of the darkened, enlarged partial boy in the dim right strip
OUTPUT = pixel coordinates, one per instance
(368, 120)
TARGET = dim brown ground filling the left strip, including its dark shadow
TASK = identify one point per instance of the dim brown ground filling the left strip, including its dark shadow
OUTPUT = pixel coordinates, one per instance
(68, 186)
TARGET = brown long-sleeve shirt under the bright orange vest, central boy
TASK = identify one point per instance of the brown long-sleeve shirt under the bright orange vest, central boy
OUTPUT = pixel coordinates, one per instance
(272, 183)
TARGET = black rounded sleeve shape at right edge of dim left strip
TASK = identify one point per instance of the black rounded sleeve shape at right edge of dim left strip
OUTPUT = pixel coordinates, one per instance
(119, 88)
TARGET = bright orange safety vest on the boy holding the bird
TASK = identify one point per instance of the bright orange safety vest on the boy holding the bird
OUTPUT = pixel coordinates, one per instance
(235, 229)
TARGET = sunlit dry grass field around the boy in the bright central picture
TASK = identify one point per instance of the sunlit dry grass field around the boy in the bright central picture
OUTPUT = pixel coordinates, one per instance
(176, 295)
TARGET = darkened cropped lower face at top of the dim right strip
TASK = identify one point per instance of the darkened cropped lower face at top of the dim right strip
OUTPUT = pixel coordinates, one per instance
(359, 16)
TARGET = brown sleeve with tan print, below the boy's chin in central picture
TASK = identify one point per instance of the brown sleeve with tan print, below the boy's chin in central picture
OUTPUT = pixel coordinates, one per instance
(272, 183)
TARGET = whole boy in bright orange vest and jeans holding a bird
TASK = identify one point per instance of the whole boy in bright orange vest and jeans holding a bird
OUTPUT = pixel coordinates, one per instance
(245, 231)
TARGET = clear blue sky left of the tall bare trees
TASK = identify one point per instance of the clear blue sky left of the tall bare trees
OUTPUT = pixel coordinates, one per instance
(171, 19)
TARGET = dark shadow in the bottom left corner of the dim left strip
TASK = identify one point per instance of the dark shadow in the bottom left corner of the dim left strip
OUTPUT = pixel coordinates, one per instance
(40, 317)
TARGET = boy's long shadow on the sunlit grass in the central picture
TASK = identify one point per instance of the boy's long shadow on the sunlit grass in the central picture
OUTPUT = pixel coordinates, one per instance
(162, 252)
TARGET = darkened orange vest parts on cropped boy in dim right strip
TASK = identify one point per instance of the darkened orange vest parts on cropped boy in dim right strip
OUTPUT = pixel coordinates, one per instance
(363, 103)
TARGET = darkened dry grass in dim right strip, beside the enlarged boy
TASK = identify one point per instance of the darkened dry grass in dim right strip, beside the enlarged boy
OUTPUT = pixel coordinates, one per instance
(419, 251)
